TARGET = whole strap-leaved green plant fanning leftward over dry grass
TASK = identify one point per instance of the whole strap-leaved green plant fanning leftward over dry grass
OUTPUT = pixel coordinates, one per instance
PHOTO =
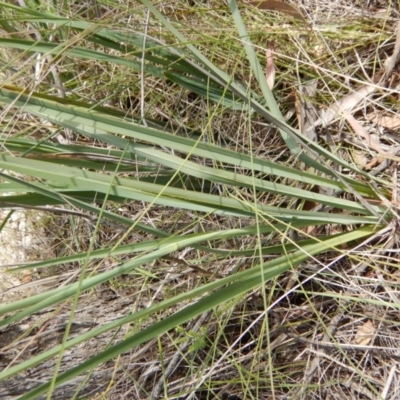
(133, 159)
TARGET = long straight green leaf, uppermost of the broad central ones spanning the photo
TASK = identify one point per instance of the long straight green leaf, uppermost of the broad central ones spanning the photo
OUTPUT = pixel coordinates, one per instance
(95, 124)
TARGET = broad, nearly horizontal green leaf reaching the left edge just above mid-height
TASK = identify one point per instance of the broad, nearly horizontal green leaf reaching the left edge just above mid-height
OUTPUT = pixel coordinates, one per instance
(68, 178)
